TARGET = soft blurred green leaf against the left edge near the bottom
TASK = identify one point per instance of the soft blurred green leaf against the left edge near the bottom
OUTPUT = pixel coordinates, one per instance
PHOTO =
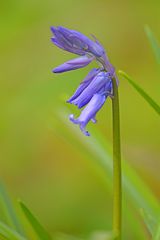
(9, 211)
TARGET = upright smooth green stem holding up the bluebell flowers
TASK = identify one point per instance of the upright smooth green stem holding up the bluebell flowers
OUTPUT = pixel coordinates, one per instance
(117, 188)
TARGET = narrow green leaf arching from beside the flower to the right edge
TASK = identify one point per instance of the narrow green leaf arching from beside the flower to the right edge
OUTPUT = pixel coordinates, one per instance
(149, 100)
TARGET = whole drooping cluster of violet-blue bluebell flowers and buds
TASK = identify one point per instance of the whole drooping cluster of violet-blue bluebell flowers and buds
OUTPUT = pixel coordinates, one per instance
(97, 86)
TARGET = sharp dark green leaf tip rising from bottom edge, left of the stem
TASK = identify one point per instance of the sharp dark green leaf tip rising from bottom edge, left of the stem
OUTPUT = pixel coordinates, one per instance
(40, 231)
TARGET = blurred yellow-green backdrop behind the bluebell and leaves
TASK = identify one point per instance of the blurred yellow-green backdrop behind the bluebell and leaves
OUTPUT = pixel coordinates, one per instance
(38, 163)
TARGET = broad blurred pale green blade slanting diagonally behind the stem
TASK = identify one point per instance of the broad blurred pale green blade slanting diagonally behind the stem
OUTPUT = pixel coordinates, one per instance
(136, 191)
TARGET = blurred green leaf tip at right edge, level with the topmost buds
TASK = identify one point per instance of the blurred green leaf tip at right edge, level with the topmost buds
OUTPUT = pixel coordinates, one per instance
(154, 43)
